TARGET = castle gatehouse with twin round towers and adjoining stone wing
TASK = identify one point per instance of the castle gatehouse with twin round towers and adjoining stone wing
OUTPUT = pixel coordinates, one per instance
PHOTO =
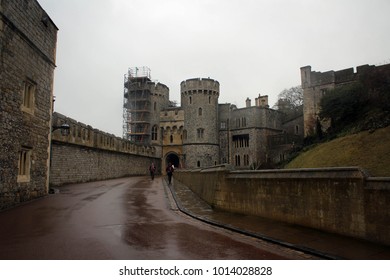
(202, 132)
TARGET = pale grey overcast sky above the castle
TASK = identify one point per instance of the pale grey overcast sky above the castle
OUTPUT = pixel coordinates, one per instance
(251, 47)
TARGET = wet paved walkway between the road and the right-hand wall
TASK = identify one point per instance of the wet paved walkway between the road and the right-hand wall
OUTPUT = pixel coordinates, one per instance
(326, 245)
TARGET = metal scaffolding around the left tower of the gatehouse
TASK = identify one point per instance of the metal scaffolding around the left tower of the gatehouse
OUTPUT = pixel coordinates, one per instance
(137, 105)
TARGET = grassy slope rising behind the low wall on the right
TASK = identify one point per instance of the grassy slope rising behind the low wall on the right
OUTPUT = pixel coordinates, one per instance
(370, 151)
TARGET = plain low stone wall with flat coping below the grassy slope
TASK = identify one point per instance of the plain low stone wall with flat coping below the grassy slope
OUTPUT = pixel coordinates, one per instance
(338, 200)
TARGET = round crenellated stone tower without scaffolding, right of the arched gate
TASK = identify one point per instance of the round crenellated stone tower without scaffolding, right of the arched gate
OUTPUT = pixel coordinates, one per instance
(199, 101)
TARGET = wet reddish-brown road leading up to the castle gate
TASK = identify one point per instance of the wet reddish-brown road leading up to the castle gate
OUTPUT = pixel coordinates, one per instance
(127, 218)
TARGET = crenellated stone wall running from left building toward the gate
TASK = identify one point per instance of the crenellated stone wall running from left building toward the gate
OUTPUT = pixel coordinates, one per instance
(87, 154)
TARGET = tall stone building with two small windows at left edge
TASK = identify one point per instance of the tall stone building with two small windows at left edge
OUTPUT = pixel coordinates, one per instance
(28, 39)
